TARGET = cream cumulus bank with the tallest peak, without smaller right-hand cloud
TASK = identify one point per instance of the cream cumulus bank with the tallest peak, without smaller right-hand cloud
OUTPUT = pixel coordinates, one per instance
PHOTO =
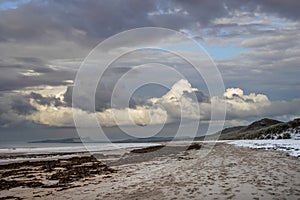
(169, 108)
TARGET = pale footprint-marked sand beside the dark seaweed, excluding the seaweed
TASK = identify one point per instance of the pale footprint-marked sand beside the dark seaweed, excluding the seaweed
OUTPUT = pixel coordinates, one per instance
(228, 172)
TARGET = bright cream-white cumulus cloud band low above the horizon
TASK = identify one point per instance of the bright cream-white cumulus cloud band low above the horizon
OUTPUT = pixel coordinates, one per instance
(172, 107)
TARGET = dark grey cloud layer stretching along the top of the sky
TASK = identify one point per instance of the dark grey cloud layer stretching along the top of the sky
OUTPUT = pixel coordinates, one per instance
(84, 20)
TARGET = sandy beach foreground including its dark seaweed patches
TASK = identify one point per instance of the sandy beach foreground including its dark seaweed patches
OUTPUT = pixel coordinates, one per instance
(227, 172)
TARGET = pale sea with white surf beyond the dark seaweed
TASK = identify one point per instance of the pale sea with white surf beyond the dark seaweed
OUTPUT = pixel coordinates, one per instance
(29, 151)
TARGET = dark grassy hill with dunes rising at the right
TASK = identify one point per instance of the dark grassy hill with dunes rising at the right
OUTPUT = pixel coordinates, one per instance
(262, 129)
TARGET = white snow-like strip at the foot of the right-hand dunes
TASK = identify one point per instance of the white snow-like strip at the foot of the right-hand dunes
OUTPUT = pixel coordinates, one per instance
(288, 145)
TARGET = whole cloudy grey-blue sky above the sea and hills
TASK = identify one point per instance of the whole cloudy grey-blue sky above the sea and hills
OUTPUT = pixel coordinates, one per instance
(255, 46)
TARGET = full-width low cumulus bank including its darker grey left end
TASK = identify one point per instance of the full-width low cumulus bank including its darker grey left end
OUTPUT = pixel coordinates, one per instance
(179, 103)
